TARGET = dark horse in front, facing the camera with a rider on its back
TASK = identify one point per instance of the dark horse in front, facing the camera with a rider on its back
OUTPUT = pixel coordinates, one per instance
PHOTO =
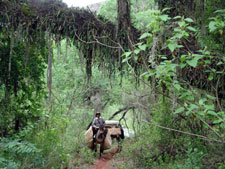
(100, 139)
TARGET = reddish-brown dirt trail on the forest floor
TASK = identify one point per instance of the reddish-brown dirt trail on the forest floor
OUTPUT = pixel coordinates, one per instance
(105, 162)
